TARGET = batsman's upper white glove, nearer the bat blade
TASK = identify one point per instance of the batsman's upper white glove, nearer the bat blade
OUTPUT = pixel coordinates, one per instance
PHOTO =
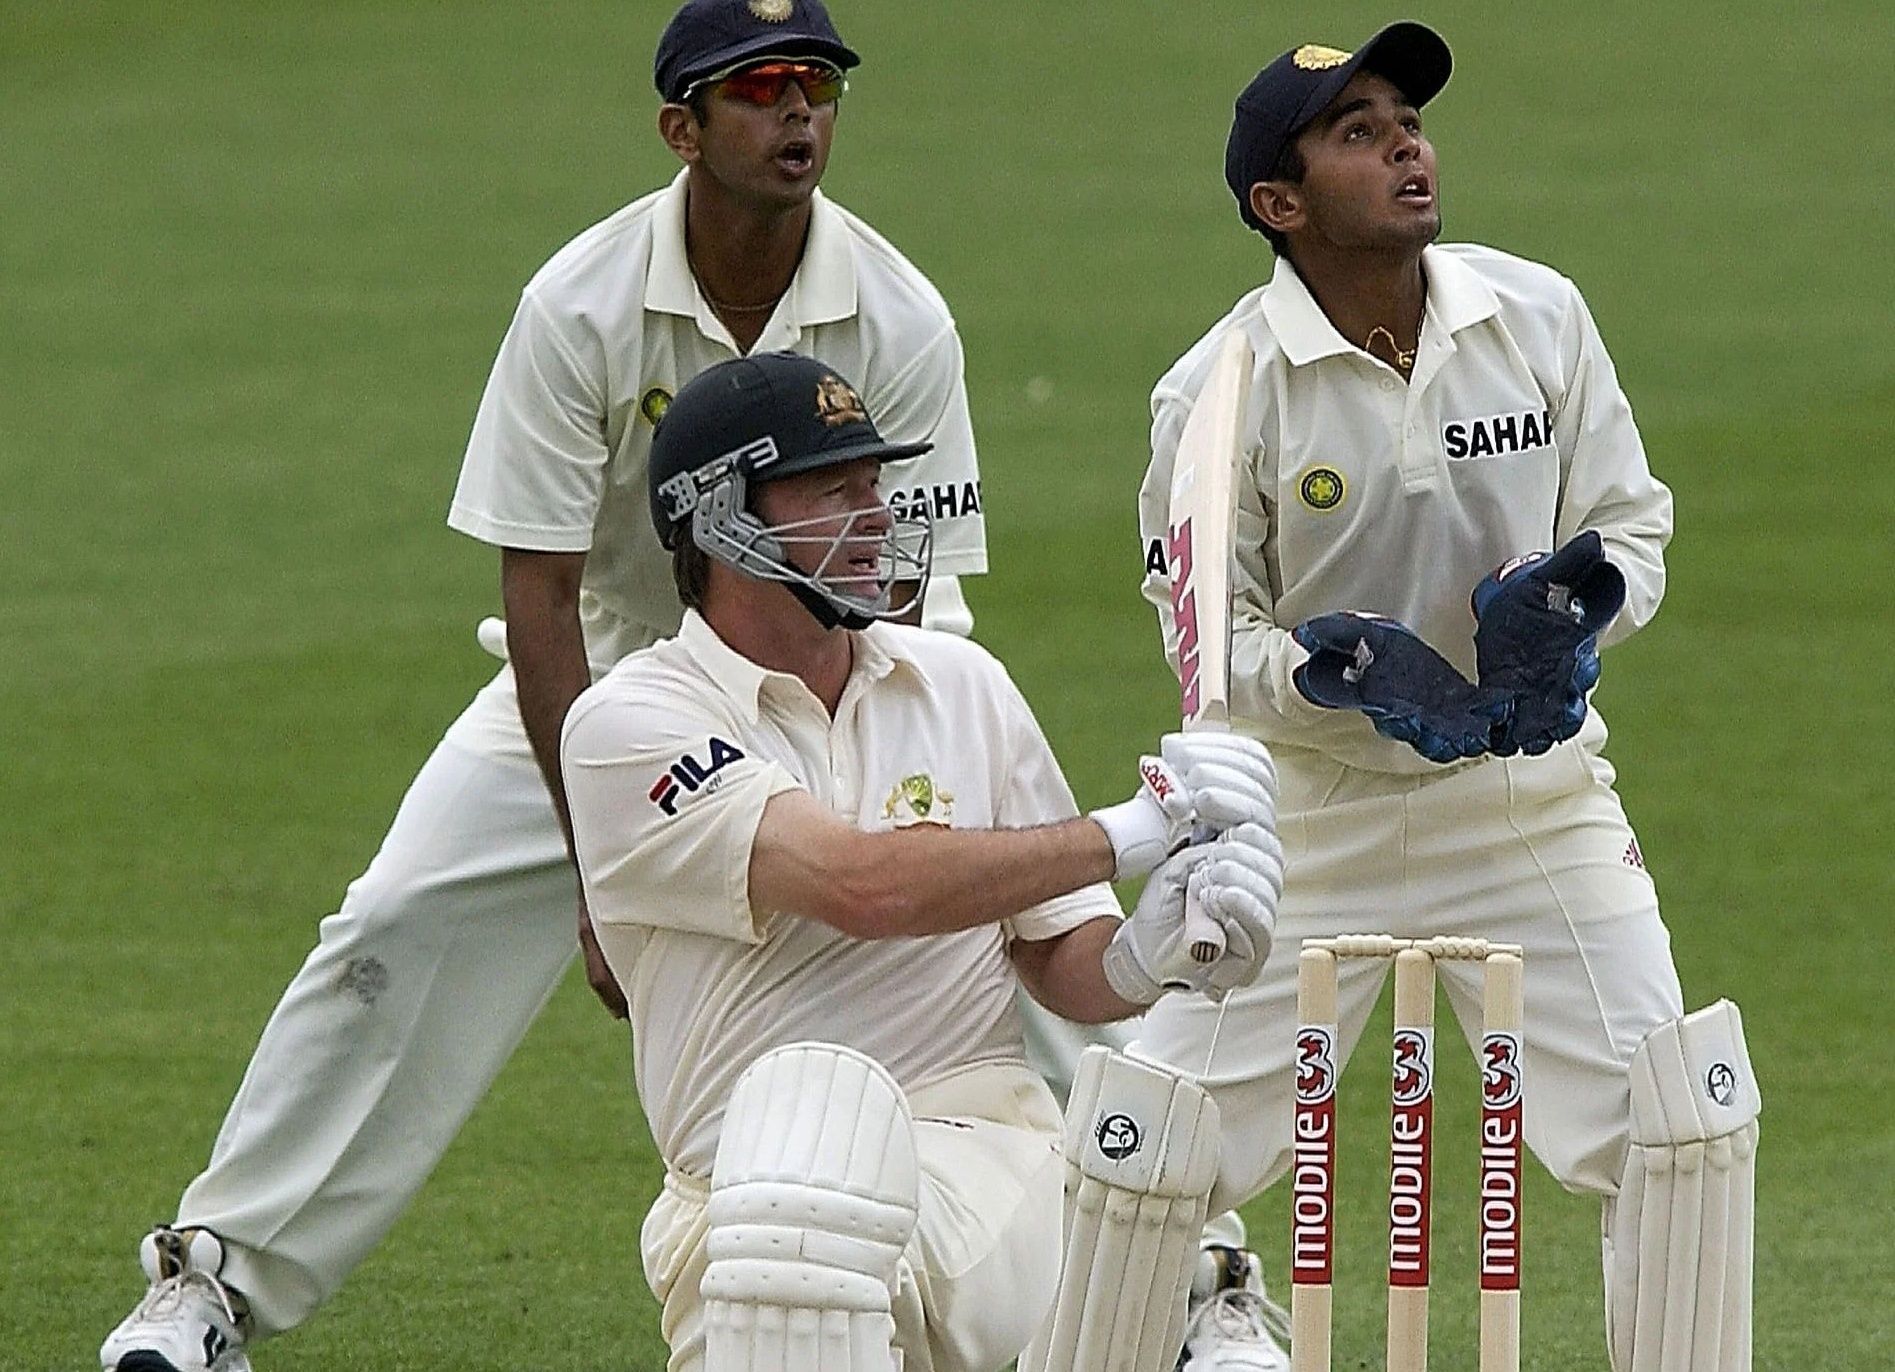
(1212, 780)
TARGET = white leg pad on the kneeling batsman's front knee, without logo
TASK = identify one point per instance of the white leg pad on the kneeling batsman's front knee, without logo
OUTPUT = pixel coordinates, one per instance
(814, 1197)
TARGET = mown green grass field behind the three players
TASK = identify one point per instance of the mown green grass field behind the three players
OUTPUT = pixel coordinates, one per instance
(257, 261)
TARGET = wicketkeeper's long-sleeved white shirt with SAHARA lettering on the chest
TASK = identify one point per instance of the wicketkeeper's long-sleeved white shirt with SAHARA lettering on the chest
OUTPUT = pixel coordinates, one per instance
(1365, 494)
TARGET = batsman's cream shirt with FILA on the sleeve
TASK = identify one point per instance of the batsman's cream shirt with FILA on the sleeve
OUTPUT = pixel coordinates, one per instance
(670, 761)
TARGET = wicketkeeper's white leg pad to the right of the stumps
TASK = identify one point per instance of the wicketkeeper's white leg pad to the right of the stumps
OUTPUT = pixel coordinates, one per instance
(1678, 1237)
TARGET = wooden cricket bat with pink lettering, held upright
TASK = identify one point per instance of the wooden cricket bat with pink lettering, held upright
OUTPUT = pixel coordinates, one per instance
(1199, 552)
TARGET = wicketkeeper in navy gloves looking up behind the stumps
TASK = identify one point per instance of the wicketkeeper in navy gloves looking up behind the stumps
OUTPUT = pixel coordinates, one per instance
(1445, 516)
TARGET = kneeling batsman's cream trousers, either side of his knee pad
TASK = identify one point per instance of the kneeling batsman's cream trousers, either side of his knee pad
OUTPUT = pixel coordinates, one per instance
(981, 1271)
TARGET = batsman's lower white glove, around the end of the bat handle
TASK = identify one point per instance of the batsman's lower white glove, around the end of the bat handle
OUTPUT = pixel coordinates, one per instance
(1238, 880)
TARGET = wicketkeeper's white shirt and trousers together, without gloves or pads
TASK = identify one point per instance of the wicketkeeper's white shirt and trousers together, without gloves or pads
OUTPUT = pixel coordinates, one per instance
(1365, 494)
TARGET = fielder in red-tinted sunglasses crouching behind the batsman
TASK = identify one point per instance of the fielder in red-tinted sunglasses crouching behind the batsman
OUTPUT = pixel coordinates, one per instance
(444, 950)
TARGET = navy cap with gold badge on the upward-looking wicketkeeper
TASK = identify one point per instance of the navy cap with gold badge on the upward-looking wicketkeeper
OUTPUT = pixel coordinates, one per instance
(1297, 88)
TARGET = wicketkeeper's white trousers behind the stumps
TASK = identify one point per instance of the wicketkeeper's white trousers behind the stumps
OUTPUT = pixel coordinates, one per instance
(1532, 852)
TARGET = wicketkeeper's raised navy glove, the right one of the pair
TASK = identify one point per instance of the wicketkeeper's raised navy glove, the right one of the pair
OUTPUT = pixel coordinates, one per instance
(1538, 638)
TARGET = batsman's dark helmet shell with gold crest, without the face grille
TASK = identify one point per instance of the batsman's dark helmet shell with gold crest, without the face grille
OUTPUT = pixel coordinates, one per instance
(772, 416)
